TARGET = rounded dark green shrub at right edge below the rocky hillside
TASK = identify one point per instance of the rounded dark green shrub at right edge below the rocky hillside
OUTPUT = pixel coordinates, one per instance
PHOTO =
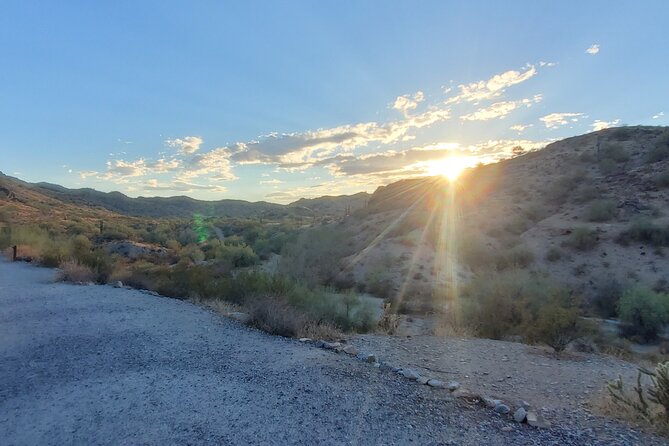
(643, 313)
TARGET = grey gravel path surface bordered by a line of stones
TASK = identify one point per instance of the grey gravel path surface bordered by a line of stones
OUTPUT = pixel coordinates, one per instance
(100, 365)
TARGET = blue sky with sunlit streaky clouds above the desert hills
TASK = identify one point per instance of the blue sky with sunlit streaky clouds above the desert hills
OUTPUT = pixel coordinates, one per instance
(275, 101)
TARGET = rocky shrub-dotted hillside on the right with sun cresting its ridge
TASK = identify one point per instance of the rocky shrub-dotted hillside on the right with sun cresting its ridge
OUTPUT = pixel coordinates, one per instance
(589, 211)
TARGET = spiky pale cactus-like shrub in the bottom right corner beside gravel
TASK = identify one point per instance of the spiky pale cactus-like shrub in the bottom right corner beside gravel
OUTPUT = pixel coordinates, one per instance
(650, 402)
